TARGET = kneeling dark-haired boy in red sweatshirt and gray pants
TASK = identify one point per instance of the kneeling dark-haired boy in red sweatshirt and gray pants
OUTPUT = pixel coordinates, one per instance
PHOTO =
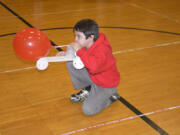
(99, 78)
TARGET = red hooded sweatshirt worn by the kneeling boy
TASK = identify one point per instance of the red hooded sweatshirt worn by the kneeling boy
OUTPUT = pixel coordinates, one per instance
(100, 63)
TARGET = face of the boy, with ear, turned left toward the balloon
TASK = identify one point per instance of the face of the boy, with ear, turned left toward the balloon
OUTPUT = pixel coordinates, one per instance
(80, 38)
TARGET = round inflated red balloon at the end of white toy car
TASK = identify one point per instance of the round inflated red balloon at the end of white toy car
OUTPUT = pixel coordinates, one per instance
(31, 44)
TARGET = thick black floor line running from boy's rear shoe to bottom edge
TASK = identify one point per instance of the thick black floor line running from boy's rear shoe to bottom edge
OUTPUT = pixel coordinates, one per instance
(145, 118)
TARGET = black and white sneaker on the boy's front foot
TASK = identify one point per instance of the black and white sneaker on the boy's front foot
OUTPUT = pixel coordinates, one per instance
(80, 96)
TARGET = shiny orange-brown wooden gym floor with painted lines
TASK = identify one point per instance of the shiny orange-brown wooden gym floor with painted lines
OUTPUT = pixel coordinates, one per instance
(145, 36)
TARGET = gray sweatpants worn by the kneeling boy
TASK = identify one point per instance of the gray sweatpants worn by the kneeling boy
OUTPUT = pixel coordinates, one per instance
(98, 98)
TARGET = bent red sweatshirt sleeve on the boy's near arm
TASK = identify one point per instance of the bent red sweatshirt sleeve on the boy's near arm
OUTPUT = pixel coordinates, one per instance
(94, 62)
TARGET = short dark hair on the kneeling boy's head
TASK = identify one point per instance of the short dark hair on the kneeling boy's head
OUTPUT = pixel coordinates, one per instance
(88, 27)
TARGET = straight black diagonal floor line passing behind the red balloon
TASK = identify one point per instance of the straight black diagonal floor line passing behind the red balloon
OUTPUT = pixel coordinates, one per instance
(24, 21)
